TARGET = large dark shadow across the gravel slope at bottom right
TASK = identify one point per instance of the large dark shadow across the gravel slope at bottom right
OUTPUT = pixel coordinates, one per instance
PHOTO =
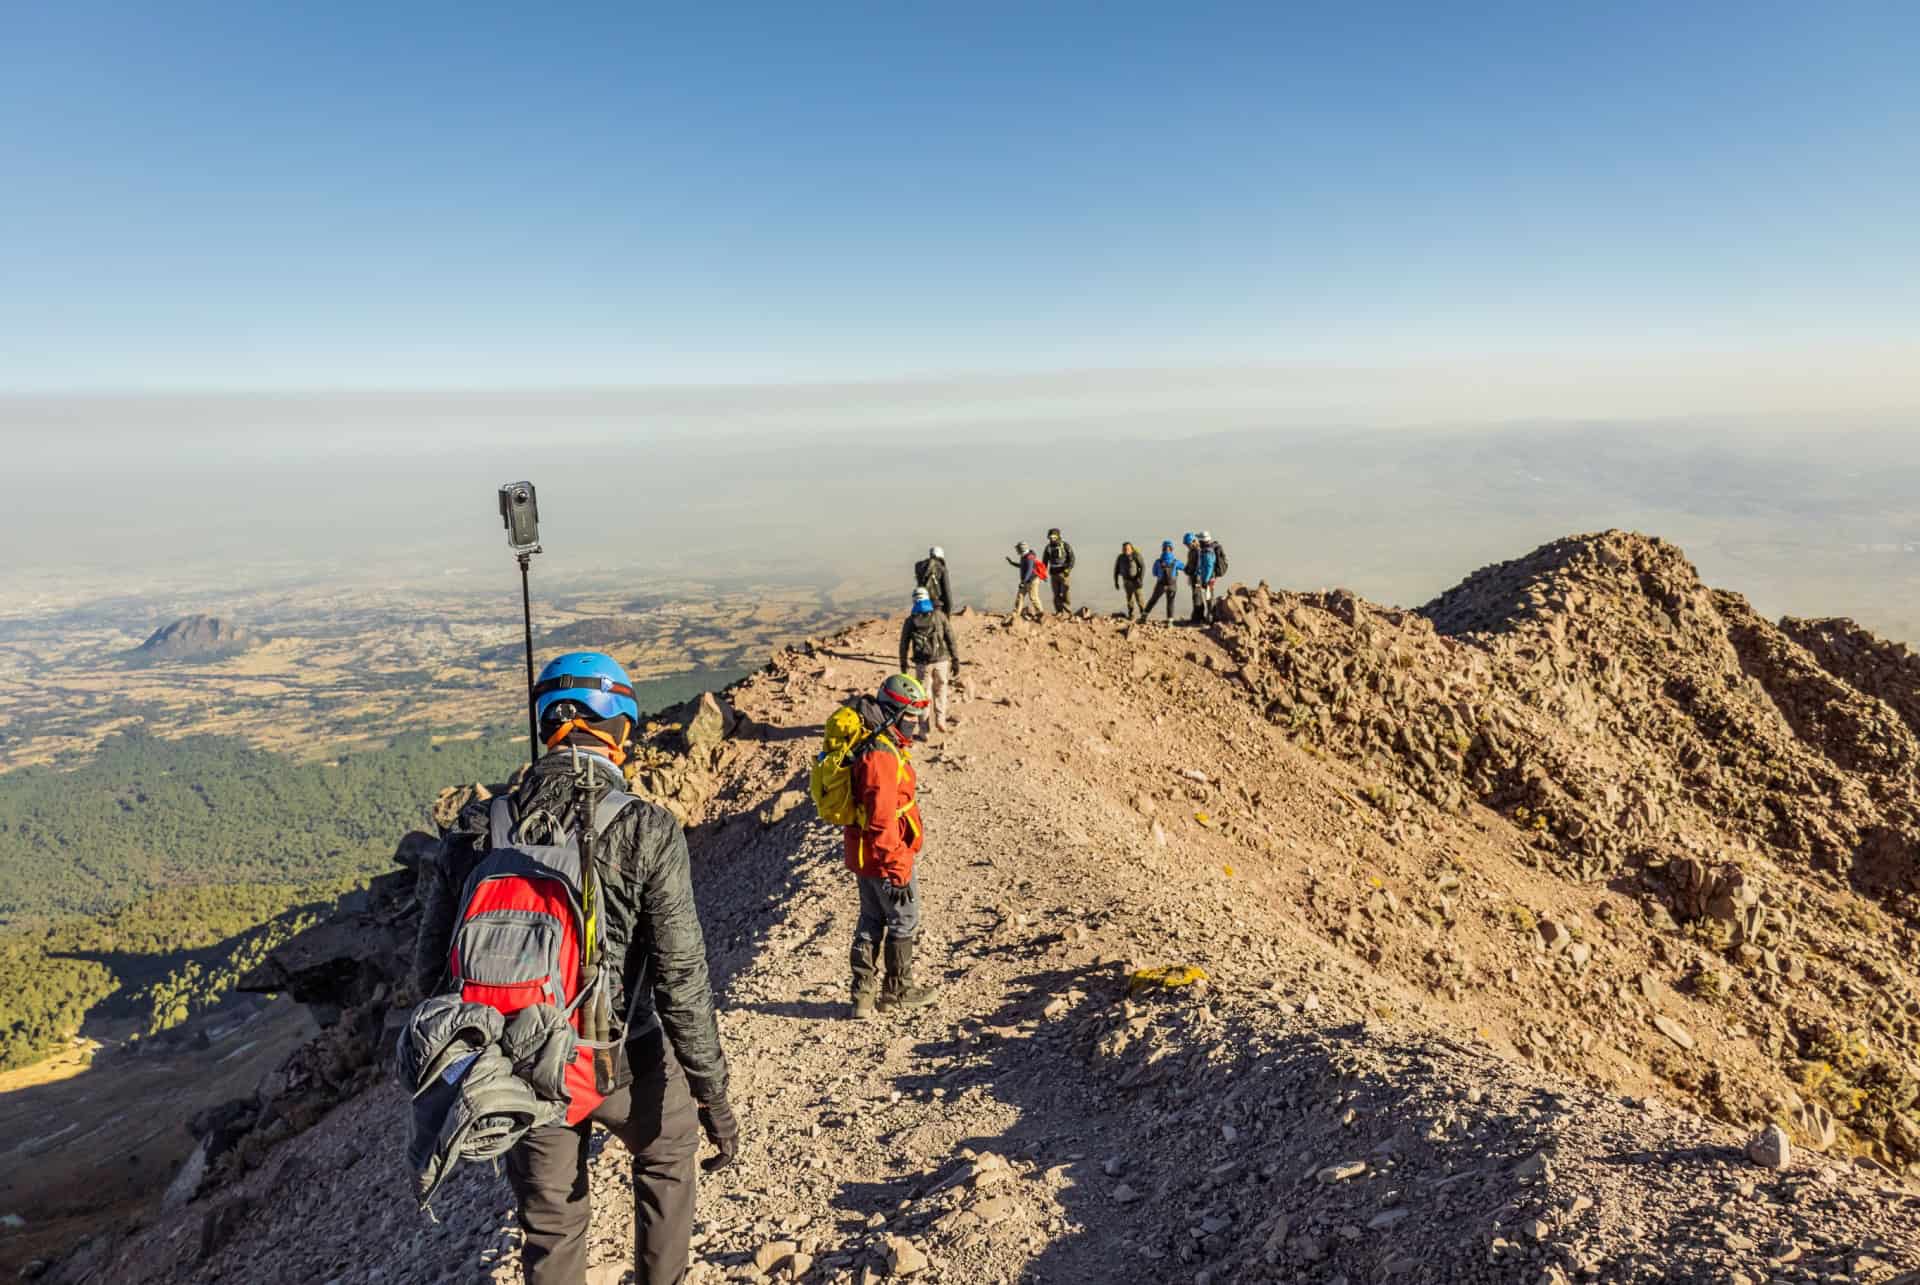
(1239, 1140)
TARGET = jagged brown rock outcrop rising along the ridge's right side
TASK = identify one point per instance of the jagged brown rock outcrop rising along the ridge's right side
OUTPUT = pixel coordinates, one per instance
(1643, 729)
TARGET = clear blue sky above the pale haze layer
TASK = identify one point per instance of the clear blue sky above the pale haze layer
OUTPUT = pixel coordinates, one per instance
(473, 195)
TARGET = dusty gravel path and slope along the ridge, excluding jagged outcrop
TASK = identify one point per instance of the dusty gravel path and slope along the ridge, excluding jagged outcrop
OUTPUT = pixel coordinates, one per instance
(1332, 1105)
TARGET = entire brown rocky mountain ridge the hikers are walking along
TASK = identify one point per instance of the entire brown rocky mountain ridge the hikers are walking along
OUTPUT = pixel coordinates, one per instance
(1514, 919)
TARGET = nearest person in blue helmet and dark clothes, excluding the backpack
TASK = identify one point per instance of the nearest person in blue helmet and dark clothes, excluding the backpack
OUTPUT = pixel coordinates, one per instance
(667, 1080)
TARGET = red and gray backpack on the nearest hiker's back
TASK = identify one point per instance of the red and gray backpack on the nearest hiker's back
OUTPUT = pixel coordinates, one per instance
(529, 934)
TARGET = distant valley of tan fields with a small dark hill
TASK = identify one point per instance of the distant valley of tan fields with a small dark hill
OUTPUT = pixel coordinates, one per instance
(314, 671)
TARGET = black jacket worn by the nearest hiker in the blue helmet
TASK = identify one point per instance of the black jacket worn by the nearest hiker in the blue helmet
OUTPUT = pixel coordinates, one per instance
(648, 917)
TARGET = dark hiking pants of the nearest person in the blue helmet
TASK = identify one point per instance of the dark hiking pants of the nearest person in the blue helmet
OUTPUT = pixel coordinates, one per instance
(658, 1121)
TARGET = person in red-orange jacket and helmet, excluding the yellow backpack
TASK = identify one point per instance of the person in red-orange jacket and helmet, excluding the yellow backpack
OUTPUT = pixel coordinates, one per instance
(882, 854)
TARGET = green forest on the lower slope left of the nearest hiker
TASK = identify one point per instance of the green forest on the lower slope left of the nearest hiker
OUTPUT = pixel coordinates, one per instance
(147, 881)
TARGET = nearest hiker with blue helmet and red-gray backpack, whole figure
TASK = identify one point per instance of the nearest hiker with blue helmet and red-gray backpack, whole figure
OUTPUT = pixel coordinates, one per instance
(571, 896)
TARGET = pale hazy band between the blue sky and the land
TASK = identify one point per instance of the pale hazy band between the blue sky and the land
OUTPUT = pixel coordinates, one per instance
(1808, 516)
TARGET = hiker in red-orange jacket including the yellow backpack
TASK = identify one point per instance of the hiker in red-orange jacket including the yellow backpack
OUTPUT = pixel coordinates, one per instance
(865, 783)
